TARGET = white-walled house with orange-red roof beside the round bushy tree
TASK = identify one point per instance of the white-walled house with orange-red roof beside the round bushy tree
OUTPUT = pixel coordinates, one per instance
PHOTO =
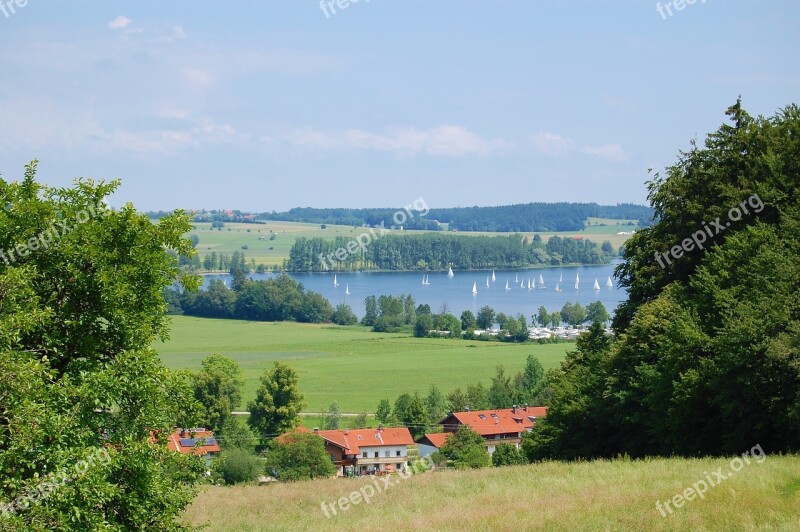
(367, 451)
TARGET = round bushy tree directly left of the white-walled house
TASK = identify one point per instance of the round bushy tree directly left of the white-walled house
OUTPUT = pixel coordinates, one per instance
(298, 456)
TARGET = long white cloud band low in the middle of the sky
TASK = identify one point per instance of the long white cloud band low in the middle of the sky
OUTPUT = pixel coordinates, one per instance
(445, 140)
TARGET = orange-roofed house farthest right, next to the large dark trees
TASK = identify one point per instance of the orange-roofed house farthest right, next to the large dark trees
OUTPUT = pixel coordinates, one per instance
(500, 426)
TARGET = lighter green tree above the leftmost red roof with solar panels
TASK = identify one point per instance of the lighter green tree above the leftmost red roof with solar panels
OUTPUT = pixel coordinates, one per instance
(218, 387)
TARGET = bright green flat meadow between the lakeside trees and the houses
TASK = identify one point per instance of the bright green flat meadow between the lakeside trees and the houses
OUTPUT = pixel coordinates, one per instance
(350, 365)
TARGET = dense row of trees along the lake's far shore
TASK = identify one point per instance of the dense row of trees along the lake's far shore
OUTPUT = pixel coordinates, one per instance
(433, 251)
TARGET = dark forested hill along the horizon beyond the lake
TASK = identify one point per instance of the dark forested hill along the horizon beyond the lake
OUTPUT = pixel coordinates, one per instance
(507, 218)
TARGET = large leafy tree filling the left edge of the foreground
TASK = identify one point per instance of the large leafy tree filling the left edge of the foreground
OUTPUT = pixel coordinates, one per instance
(78, 312)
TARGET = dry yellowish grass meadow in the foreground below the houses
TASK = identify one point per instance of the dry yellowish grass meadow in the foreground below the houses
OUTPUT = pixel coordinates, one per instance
(599, 495)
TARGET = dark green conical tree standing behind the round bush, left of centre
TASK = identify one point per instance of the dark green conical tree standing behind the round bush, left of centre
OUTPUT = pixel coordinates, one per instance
(278, 402)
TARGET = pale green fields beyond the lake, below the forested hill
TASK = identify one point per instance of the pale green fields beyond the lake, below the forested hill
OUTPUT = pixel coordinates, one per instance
(272, 252)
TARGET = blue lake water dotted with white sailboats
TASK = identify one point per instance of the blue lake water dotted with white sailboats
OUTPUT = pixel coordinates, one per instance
(456, 291)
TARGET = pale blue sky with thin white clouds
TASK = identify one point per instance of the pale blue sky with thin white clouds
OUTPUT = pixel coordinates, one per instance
(265, 105)
